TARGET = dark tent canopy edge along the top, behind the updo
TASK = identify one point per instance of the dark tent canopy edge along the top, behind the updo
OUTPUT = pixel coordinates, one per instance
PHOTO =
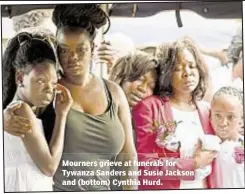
(218, 9)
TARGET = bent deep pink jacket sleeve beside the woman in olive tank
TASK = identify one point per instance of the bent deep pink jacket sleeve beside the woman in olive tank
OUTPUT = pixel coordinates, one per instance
(147, 149)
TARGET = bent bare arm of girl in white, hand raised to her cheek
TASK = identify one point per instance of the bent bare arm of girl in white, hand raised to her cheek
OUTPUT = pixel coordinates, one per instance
(47, 157)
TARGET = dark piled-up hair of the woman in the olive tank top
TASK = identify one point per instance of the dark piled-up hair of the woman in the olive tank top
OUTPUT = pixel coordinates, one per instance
(87, 16)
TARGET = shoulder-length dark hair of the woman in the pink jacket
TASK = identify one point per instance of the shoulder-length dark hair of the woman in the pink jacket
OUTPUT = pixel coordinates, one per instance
(166, 55)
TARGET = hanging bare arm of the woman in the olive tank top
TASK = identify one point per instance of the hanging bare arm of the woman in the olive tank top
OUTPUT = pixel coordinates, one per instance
(128, 152)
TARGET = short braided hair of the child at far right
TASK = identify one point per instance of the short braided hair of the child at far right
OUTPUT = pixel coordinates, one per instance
(231, 91)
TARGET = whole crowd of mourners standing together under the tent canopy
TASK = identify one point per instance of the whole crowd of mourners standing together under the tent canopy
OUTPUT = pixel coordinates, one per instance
(160, 104)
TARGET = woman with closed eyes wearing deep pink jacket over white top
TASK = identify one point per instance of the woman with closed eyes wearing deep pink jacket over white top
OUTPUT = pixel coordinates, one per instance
(180, 87)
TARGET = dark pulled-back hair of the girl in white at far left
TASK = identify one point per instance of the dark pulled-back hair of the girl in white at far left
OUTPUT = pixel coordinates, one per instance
(23, 51)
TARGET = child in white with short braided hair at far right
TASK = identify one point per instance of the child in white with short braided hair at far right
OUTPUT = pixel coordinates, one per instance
(226, 111)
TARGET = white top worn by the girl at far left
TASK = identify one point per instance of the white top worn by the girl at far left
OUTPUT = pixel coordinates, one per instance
(21, 173)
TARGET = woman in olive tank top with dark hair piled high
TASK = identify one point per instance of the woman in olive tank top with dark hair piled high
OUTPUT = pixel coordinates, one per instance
(98, 126)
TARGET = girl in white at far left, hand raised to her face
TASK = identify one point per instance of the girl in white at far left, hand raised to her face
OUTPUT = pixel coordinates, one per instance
(30, 78)
